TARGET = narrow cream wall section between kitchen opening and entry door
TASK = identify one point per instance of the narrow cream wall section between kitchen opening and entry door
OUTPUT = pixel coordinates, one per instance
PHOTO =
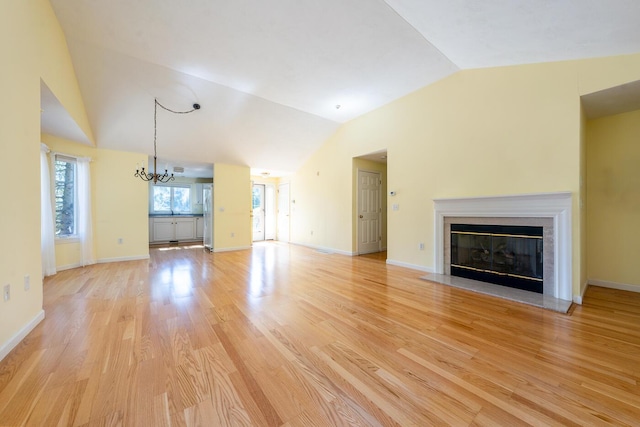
(231, 207)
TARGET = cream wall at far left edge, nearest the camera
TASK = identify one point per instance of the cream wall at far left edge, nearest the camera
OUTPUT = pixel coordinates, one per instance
(33, 48)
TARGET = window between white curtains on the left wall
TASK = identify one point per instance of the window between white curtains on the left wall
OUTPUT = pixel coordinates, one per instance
(65, 196)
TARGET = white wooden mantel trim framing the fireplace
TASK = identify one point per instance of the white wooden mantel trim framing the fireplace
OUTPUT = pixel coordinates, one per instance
(541, 205)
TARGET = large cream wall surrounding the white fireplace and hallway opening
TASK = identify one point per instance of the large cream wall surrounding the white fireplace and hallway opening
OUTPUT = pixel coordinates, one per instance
(496, 131)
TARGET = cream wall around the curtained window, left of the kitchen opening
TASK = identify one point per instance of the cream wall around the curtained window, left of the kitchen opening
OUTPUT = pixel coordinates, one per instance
(119, 205)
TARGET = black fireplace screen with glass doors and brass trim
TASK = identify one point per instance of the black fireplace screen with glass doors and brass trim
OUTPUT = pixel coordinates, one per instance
(504, 255)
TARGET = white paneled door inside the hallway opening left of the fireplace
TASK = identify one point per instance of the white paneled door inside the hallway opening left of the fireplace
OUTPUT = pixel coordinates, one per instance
(369, 214)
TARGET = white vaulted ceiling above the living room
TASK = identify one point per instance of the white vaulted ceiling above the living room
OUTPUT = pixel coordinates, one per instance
(269, 74)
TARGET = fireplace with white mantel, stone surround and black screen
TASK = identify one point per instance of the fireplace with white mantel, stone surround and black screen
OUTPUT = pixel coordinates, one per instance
(549, 265)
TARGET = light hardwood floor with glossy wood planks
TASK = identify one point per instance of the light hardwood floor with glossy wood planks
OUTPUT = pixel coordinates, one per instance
(284, 335)
